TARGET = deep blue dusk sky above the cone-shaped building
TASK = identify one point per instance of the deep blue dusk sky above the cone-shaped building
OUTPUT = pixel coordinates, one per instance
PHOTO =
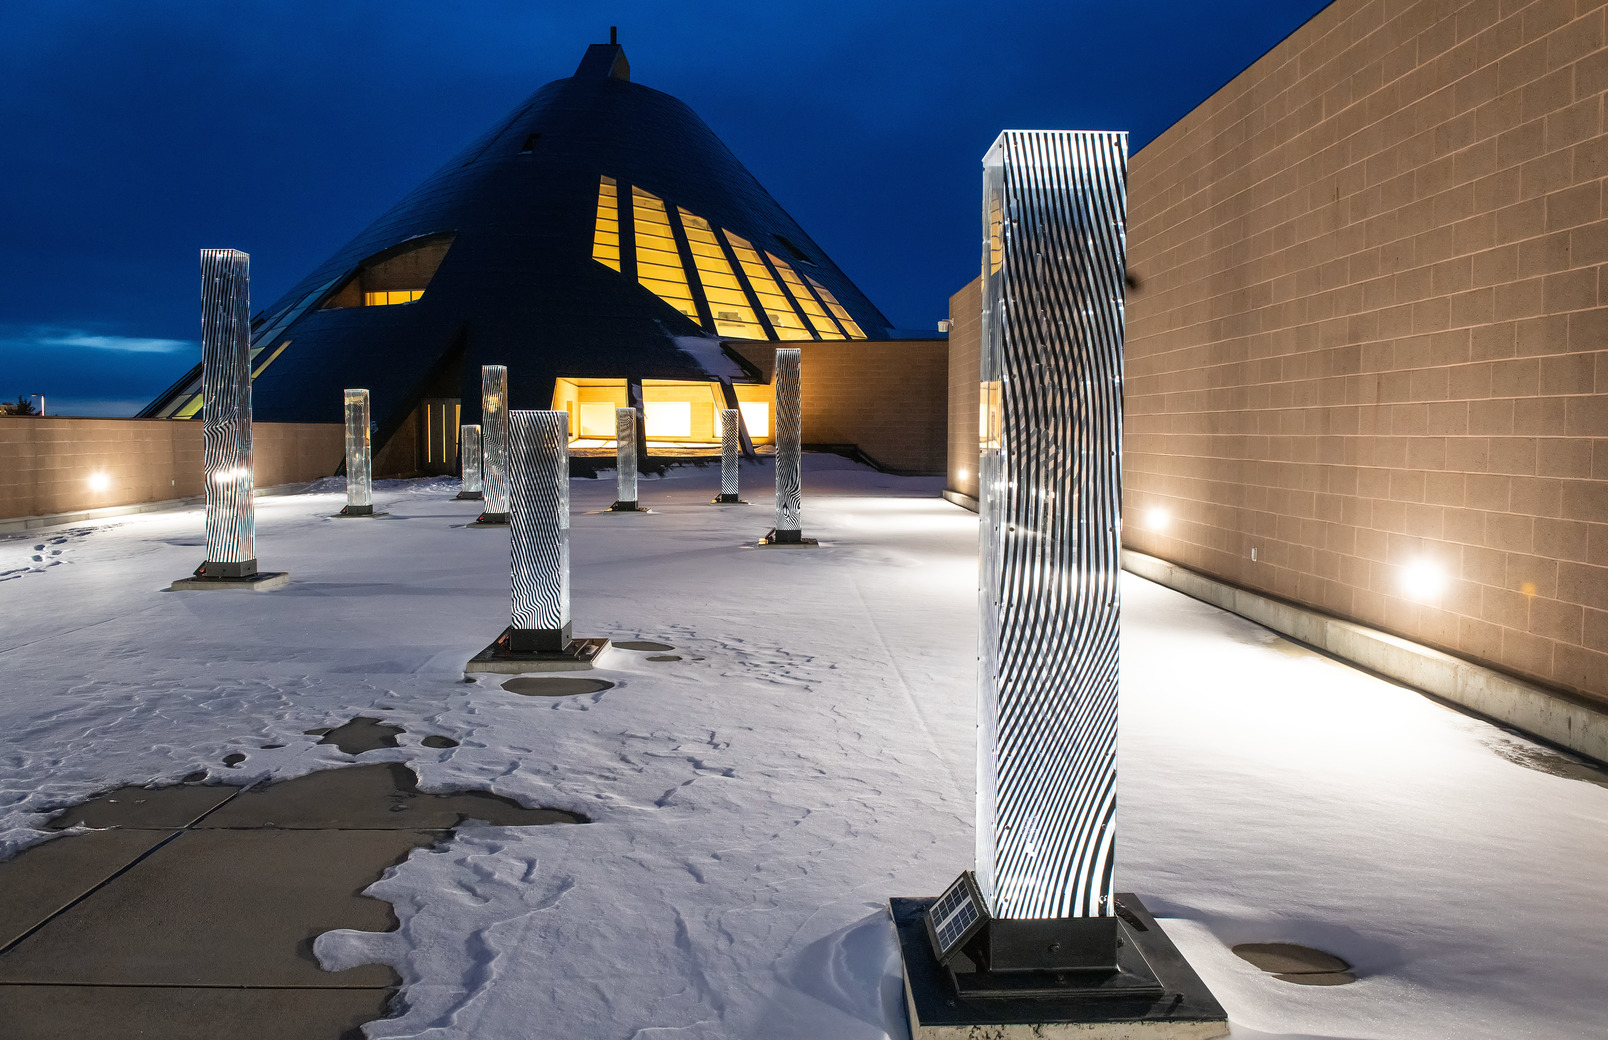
(134, 133)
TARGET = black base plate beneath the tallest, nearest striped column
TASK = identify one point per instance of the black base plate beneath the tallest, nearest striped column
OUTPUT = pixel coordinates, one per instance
(1040, 1010)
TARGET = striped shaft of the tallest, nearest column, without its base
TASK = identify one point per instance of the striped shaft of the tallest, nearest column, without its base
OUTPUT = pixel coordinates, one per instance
(1054, 253)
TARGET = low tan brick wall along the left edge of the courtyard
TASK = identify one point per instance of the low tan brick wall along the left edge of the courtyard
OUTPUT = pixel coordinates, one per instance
(46, 464)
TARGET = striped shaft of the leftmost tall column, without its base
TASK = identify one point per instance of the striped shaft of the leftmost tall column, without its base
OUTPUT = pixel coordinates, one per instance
(226, 388)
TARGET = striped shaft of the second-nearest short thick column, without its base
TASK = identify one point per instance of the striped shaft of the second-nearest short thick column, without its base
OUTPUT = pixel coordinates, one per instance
(539, 506)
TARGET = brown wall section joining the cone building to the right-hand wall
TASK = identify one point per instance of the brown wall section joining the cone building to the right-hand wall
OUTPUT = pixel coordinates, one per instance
(887, 398)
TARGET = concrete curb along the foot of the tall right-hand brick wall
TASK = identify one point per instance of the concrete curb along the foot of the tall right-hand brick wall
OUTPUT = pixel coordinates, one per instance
(1549, 714)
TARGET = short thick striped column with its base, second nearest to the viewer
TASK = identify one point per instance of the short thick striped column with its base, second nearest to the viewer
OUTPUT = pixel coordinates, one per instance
(539, 557)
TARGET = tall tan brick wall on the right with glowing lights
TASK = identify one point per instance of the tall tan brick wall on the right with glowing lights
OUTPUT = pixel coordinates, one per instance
(1372, 329)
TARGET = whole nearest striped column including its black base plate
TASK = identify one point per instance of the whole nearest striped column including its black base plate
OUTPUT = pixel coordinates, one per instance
(1040, 922)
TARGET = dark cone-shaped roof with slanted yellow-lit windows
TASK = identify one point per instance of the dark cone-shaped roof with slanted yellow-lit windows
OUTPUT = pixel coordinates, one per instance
(552, 247)
